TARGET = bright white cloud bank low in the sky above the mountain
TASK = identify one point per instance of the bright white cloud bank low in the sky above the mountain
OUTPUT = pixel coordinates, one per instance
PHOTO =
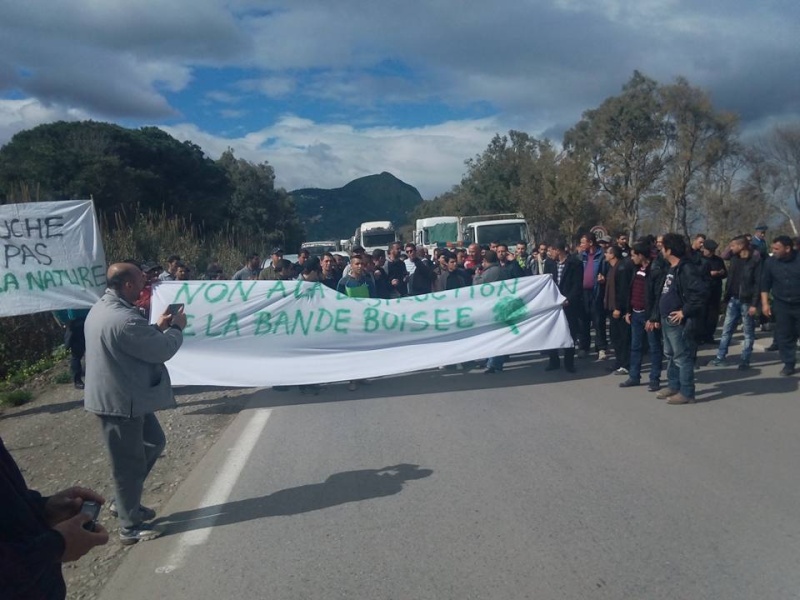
(328, 155)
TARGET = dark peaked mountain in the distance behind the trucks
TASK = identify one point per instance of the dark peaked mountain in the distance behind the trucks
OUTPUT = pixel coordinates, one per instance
(335, 214)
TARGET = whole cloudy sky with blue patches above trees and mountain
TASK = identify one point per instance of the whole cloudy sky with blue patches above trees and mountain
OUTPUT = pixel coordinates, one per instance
(331, 90)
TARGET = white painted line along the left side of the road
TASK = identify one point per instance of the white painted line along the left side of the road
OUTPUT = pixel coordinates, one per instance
(220, 490)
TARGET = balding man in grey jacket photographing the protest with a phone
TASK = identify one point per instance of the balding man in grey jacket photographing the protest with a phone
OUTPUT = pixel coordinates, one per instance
(126, 382)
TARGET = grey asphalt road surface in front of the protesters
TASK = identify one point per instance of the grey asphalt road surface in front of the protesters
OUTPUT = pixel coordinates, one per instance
(525, 484)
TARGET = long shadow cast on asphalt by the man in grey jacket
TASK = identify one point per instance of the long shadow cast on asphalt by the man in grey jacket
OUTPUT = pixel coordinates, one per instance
(339, 488)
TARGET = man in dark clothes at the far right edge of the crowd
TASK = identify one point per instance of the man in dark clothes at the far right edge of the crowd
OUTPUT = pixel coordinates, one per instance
(781, 276)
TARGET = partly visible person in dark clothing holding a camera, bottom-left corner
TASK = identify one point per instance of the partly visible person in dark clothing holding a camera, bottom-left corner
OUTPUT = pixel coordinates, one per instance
(37, 534)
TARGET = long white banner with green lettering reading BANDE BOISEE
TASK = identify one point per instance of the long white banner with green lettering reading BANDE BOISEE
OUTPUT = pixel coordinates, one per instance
(264, 333)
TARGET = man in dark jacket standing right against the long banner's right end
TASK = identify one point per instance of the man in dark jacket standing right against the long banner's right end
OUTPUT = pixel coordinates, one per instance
(567, 272)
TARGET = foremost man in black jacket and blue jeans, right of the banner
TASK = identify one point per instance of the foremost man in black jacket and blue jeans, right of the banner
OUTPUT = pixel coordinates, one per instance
(682, 309)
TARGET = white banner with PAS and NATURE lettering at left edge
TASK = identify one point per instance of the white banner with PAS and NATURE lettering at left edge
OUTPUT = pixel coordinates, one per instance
(52, 257)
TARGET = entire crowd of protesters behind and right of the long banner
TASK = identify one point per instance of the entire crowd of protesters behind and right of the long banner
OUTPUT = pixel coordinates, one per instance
(658, 299)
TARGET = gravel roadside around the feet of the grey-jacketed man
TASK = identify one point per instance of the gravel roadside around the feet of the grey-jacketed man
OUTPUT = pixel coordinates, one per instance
(57, 445)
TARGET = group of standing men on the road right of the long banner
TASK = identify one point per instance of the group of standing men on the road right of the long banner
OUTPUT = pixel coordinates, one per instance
(664, 295)
